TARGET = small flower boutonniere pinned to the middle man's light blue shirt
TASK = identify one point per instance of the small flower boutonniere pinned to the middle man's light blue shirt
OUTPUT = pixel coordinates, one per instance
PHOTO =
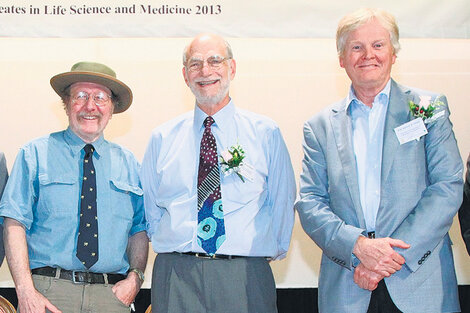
(231, 161)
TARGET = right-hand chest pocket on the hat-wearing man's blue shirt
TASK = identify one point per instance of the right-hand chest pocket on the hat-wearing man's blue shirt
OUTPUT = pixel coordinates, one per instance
(122, 198)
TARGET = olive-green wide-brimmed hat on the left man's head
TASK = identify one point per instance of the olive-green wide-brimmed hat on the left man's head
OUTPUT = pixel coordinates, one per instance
(97, 73)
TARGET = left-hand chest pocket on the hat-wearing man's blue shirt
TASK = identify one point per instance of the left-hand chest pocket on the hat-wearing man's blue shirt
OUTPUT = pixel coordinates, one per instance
(58, 193)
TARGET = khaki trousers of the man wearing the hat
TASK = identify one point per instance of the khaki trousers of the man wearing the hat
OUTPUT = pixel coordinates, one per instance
(79, 298)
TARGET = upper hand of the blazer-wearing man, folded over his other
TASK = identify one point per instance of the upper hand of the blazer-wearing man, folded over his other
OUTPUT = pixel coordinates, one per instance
(378, 255)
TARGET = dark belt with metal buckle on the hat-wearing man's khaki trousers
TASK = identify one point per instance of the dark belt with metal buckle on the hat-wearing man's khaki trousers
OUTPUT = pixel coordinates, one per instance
(79, 277)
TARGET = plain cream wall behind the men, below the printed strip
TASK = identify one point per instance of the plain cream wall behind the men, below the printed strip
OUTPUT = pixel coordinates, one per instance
(287, 80)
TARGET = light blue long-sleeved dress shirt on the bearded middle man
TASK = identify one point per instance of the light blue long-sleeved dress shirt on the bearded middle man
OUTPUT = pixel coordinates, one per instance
(258, 214)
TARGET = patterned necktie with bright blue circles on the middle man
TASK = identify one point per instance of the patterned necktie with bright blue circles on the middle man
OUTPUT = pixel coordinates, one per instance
(211, 228)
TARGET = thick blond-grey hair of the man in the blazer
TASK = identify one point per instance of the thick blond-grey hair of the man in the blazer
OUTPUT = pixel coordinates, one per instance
(354, 20)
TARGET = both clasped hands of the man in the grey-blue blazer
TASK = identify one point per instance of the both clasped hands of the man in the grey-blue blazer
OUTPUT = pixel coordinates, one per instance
(378, 260)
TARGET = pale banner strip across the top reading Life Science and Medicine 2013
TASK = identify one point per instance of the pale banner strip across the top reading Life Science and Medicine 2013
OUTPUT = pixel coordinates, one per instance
(242, 18)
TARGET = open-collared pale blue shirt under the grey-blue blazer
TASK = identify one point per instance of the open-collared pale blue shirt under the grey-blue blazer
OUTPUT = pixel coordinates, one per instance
(368, 131)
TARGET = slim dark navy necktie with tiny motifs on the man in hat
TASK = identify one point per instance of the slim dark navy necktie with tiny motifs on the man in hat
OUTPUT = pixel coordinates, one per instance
(87, 243)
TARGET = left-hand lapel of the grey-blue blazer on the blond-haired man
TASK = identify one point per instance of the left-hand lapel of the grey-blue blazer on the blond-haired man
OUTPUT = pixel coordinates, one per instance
(342, 129)
